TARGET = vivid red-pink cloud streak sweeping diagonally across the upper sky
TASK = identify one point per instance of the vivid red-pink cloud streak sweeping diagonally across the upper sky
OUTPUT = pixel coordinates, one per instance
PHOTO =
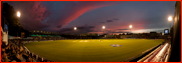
(79, 9)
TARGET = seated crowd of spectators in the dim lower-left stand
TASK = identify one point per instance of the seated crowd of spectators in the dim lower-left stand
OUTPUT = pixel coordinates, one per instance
(14, 52)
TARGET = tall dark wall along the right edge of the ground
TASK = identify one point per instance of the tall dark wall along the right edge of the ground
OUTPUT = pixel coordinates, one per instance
(175, 55)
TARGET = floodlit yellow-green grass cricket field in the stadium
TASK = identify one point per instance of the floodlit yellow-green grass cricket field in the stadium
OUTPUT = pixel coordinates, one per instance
(91, 50)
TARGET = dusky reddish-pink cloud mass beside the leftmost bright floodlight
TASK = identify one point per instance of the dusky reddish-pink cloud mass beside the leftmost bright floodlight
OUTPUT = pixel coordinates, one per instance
(33, 14)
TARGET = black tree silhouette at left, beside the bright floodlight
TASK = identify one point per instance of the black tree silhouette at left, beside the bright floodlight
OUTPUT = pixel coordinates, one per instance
(14, 27)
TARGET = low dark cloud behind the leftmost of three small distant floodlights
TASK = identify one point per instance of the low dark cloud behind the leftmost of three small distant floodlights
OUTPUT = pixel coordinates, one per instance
(80, 29)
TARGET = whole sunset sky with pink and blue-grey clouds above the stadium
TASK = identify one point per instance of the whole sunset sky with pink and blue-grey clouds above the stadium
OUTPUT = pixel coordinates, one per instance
(89, 17)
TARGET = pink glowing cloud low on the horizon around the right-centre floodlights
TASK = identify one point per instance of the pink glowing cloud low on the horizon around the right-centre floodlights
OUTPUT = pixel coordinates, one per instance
(137, 25)
